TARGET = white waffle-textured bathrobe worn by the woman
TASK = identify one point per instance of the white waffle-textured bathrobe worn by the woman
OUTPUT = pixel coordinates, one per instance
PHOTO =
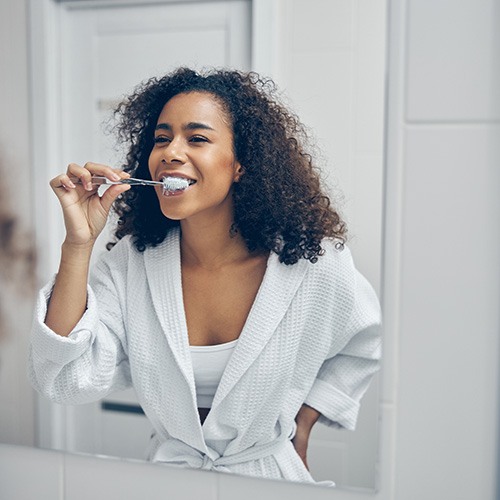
(312, 336)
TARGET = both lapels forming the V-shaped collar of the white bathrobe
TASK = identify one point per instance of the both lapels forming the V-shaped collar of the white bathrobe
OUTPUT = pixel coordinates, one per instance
(280, 283)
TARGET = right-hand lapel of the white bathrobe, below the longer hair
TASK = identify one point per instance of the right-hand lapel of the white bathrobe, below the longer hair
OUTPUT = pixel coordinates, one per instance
(277, 290)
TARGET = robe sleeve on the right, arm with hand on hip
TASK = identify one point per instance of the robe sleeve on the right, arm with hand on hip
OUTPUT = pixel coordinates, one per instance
(345, 375)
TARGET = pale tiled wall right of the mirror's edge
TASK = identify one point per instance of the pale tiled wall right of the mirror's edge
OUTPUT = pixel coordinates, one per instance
(447, 128)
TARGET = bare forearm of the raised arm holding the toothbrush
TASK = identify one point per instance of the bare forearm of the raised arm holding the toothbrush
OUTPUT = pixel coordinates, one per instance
(68, 300)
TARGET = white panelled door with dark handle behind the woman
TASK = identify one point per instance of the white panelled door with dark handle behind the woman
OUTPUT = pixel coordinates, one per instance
(105, 53)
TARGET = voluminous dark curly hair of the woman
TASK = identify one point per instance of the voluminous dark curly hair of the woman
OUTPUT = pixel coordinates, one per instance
(278, 203)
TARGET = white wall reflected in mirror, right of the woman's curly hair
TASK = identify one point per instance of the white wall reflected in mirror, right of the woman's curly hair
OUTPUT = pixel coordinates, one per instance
(329, 61)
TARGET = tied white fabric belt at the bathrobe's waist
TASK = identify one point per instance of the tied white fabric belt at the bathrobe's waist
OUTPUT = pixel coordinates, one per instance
(176, 452)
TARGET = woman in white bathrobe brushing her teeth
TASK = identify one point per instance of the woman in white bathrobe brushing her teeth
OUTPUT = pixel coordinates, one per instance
(232, 307)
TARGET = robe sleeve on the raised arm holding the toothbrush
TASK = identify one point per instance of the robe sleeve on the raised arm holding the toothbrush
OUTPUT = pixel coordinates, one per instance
(92, 360)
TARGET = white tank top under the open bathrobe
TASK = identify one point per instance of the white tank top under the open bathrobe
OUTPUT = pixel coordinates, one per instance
(209, 363)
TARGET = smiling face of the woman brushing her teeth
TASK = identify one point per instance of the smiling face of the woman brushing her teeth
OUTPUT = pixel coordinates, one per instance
(194, 139)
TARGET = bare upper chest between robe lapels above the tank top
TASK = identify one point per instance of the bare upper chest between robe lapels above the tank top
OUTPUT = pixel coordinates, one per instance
(217, 303)
